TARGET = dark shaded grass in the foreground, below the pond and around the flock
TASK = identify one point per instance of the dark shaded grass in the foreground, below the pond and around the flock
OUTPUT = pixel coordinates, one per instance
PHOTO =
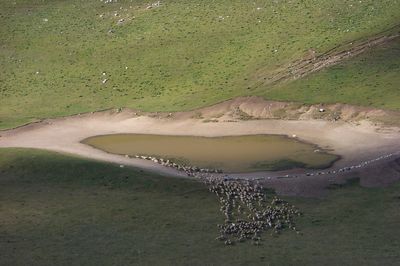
(58, 210)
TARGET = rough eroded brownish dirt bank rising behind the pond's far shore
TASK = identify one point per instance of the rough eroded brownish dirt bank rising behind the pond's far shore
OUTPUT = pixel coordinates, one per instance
(251, 108)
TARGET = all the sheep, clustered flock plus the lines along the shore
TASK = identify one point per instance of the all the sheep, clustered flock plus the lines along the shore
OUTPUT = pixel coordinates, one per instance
(247, 211)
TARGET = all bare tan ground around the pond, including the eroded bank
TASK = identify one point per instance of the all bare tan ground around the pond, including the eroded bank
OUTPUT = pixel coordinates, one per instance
(353, 138)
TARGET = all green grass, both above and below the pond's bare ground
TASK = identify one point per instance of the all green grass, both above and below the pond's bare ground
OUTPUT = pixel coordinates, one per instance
(62, 57)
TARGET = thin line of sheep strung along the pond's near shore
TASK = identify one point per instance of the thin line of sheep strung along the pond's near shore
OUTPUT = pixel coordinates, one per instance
(195, 171)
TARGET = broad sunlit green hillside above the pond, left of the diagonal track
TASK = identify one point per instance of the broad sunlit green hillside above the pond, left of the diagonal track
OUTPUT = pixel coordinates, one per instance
(179, 56)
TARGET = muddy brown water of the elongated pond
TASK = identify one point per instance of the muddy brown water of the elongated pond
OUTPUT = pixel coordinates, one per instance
(230, 153)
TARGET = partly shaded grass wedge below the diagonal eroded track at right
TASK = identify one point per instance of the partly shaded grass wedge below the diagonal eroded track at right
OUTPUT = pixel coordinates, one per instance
(371, 79)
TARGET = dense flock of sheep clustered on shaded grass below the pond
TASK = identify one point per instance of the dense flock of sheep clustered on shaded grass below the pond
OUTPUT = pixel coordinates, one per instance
(247, 211)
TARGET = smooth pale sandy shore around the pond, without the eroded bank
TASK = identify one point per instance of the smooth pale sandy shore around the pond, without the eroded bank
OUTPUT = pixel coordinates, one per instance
(354, 143)
